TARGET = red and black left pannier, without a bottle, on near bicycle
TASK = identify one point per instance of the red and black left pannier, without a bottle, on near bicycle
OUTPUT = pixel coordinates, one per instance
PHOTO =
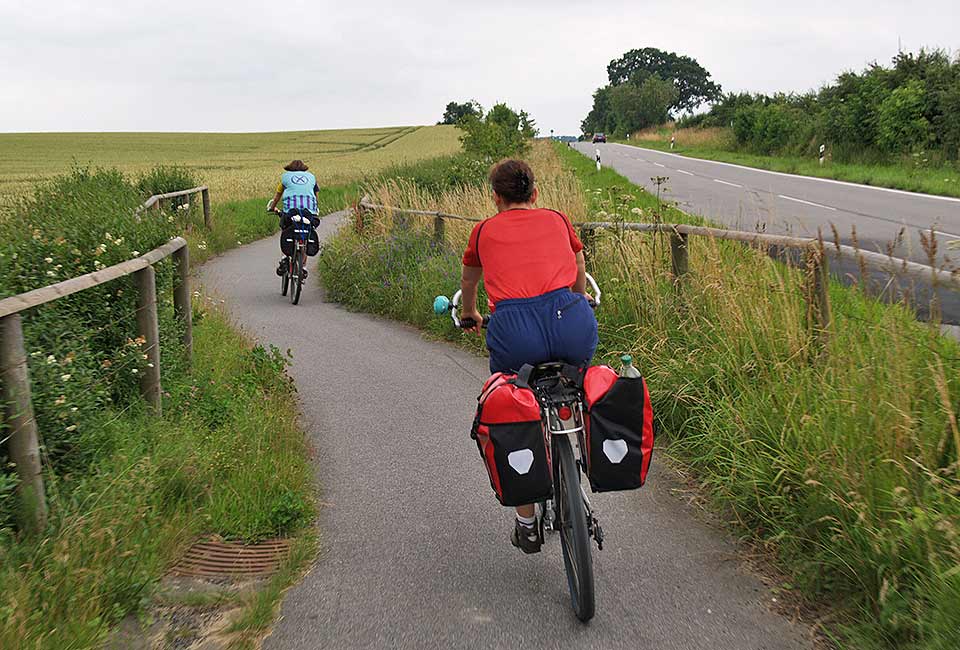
(511, 438)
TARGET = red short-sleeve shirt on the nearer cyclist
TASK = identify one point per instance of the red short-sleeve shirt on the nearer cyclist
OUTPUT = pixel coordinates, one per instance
(524, 253)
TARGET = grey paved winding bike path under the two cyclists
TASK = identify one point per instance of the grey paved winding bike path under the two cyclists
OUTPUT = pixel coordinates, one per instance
(414, 548)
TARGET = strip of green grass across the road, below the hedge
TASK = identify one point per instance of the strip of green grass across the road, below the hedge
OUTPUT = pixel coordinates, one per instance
(942, 181)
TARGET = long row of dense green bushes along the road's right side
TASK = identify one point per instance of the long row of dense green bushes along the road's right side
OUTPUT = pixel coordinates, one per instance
(911, 106)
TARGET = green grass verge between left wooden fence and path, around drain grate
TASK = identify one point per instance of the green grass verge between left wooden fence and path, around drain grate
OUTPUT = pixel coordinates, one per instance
(226, 458)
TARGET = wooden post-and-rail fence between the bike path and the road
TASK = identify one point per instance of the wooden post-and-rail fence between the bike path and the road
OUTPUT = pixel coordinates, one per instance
(815, 254)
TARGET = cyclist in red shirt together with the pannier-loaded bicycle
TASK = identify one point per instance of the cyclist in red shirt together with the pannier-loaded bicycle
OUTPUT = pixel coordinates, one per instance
(541, 336)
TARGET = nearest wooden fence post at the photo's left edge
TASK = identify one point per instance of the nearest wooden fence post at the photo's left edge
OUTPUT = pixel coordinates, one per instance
(23, 445)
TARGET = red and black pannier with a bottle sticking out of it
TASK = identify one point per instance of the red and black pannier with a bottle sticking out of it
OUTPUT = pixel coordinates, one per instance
(619, 430)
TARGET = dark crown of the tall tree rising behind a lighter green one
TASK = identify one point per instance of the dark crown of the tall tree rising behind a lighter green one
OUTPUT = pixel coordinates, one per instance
(690, 79)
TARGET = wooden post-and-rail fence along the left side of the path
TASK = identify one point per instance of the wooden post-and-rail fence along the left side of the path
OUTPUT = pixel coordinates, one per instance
(22, 436)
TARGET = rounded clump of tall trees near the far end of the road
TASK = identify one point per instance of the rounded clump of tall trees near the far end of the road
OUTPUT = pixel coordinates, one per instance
(647, 86)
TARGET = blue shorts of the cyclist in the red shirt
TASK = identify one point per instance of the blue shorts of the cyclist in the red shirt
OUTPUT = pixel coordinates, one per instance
(557, 326)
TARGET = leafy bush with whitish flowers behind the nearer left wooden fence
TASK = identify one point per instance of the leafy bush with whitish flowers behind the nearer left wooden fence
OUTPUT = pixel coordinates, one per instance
(83, 351)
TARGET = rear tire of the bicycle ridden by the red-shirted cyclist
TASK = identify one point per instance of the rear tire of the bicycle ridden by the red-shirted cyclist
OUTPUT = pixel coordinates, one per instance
(574, 536)
